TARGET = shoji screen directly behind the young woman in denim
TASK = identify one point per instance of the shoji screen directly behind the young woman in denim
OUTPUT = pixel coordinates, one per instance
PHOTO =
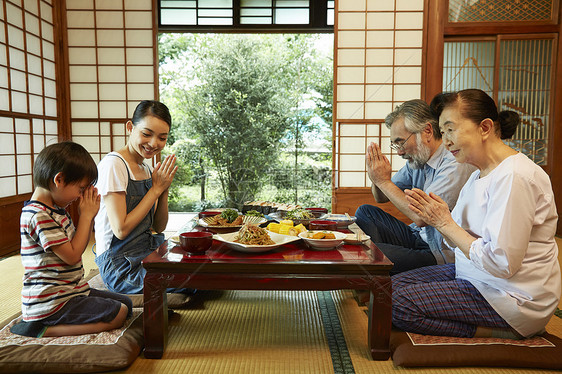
(111, 55)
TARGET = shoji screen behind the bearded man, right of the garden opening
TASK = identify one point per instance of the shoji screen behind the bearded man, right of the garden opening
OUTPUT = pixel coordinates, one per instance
(378, 54)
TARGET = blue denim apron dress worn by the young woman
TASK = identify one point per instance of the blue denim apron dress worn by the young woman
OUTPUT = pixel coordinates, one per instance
(120, 265)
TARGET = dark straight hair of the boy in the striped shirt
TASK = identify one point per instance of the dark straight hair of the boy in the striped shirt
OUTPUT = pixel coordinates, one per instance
(68, 158)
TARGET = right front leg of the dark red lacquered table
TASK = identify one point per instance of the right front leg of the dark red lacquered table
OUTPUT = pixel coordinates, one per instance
(380, 318)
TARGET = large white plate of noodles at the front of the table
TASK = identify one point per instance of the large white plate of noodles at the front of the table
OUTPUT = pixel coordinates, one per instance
(252, 238)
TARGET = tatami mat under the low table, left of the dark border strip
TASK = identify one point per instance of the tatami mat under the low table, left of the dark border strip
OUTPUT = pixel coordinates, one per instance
(246, 332)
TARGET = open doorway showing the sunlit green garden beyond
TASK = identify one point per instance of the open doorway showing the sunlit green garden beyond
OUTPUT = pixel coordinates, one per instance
(252, 118)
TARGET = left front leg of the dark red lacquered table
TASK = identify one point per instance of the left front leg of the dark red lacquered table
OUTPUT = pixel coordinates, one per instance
(155, 316)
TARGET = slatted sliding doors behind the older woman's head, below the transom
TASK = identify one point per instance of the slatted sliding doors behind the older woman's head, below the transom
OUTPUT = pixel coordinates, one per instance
(519, 77)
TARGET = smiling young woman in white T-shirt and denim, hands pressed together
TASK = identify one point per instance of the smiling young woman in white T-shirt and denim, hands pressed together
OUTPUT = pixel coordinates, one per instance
(134, 199)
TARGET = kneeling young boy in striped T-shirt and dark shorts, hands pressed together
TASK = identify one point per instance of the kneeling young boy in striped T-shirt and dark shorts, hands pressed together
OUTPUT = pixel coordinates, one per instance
(56, 300)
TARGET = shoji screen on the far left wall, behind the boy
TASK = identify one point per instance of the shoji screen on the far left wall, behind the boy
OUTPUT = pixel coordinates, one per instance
(28, 108)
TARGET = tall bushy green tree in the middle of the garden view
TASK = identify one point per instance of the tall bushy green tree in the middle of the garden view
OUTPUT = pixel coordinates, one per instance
(239, 112)
